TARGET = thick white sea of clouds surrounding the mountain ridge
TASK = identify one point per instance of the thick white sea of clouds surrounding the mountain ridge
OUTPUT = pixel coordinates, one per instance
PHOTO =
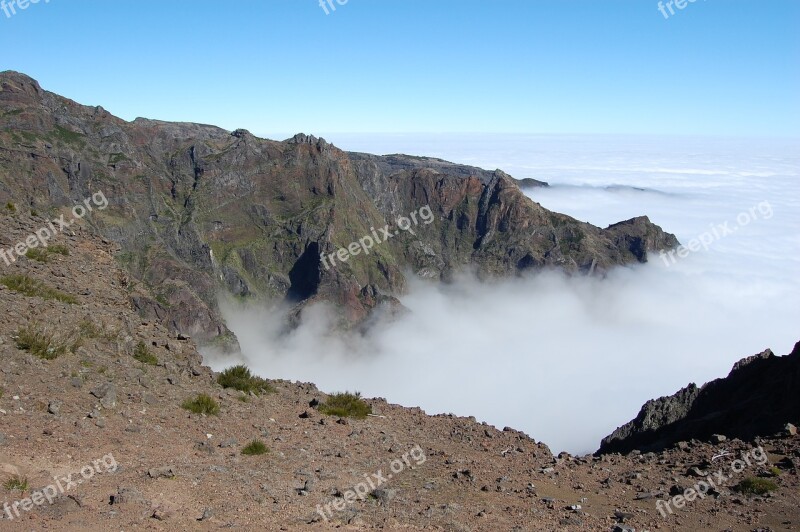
(568, 360)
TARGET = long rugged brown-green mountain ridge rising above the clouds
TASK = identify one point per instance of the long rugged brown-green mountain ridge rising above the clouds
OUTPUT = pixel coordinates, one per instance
(195, 208)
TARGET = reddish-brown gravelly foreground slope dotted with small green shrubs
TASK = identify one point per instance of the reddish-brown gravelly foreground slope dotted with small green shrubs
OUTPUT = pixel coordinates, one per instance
(96, 402)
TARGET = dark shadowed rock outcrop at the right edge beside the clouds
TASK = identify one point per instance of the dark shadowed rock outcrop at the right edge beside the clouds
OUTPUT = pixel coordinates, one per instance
(757, 398)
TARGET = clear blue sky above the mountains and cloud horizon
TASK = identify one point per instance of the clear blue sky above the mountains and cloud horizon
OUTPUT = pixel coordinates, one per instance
(727, 67)
